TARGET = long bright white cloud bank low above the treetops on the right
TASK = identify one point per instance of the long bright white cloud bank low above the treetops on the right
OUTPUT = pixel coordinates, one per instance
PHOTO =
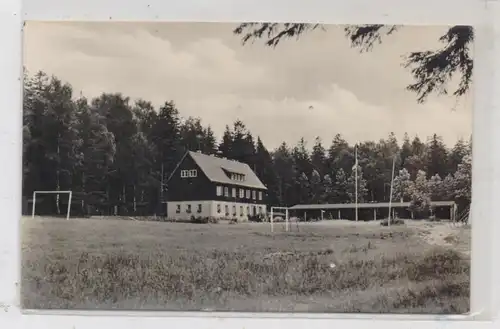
(336, 111)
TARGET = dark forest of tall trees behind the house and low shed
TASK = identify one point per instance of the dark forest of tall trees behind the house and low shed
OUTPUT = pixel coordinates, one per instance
(115, 156)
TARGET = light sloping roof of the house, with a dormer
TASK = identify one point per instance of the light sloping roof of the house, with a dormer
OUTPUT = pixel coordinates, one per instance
(213, 167)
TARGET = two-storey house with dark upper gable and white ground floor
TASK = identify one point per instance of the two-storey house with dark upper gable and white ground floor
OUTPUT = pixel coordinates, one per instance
(209, 186)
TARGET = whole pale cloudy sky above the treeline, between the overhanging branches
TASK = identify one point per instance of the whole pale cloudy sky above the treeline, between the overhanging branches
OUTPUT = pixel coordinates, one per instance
(317, 86)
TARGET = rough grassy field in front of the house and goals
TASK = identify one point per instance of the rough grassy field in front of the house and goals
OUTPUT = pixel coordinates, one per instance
(118, 264)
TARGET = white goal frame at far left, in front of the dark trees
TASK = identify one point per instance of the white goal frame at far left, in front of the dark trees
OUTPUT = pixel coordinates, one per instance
(51, 203)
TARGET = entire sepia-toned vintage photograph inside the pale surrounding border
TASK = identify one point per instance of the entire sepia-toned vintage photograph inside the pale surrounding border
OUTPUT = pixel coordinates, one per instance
(252, 167)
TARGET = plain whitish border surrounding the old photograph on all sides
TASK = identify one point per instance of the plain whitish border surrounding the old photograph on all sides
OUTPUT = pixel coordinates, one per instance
(486, 139)
